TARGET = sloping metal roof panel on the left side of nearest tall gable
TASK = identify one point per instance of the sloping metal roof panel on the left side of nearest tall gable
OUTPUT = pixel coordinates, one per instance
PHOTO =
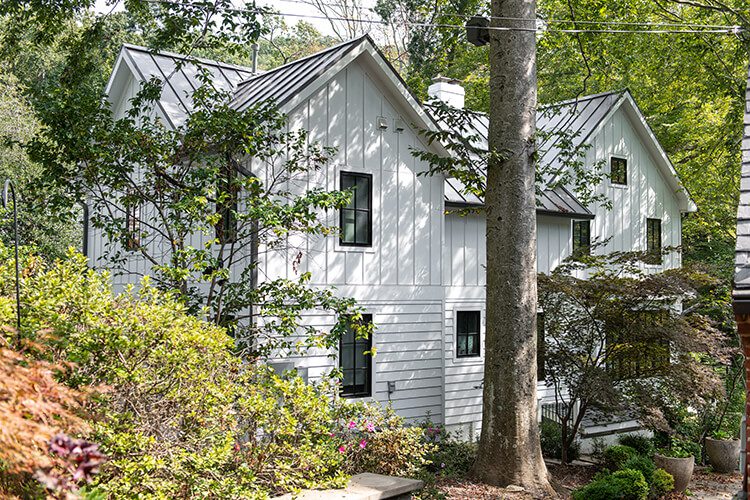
(283, 83)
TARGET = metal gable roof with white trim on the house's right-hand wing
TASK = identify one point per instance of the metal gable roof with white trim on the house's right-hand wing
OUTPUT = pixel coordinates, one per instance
(578, 120)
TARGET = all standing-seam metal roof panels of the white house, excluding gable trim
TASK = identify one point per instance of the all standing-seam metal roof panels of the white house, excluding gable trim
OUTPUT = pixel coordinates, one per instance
(577, 118)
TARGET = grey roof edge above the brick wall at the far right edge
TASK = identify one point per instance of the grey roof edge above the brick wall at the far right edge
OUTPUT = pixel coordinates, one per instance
(742, 251)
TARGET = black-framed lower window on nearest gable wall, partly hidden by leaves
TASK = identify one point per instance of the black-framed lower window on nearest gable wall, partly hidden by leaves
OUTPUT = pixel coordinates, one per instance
(355, 365)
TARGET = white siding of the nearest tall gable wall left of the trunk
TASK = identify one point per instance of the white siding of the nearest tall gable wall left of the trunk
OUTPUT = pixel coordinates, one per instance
(398, 279)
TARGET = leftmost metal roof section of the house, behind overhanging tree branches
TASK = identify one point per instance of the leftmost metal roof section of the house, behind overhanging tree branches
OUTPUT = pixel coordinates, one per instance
(180, 76)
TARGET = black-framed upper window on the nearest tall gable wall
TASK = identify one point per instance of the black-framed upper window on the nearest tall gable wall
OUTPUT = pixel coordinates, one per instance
(356, 218)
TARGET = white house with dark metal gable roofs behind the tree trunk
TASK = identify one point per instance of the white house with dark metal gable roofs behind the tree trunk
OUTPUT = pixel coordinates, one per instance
(424, 263)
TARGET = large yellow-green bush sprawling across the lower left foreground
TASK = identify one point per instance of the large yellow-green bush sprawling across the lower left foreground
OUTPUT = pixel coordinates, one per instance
(178, 414)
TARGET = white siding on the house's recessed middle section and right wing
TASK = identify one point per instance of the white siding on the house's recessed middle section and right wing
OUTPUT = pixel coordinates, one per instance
(647, 195)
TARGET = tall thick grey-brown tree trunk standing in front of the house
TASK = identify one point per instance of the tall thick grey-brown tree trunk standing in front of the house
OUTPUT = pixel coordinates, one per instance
(509, 450)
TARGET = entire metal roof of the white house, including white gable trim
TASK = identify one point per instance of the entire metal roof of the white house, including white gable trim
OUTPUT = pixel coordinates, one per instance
(292, 82)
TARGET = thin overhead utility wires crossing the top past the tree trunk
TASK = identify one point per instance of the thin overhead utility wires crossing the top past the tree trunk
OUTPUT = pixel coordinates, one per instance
(724, 30)
